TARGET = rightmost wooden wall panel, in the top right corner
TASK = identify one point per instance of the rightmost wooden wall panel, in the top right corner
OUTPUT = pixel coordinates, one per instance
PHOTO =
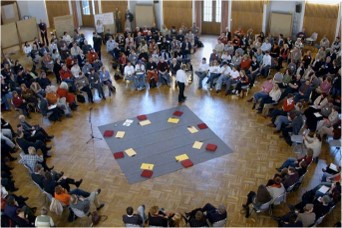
(321, 19)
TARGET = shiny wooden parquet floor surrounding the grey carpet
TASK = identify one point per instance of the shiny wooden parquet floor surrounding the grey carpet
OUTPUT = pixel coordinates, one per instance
(227, 179)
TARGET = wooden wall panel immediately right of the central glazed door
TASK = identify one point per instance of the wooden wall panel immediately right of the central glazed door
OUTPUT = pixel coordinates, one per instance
(247, 14)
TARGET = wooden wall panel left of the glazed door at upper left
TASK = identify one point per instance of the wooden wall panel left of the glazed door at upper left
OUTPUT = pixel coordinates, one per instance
(55, 9)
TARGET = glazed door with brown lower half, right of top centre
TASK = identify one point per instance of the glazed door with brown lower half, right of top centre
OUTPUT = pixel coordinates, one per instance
(211, 22)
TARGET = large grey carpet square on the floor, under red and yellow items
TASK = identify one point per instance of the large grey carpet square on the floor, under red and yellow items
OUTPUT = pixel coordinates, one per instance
(160, 142)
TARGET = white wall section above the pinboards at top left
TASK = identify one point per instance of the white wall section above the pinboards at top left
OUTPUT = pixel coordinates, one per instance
(35, 9)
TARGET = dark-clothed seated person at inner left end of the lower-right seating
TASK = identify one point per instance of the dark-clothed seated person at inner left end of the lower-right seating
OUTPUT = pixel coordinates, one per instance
(257, 199)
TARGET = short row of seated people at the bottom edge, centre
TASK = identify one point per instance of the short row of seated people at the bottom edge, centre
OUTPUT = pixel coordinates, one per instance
(158, 217)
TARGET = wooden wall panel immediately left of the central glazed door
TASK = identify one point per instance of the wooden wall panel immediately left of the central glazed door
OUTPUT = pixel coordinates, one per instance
(177, 13)
